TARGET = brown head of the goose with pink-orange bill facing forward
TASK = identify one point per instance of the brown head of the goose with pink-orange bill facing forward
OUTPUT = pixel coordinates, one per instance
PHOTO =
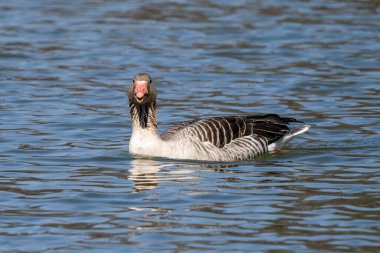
(142, 91)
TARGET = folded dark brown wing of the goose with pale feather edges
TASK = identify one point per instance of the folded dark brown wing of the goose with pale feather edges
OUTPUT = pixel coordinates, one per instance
(222, 130)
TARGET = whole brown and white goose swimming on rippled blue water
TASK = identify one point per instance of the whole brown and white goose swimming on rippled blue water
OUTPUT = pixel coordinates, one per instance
(225, 139)
